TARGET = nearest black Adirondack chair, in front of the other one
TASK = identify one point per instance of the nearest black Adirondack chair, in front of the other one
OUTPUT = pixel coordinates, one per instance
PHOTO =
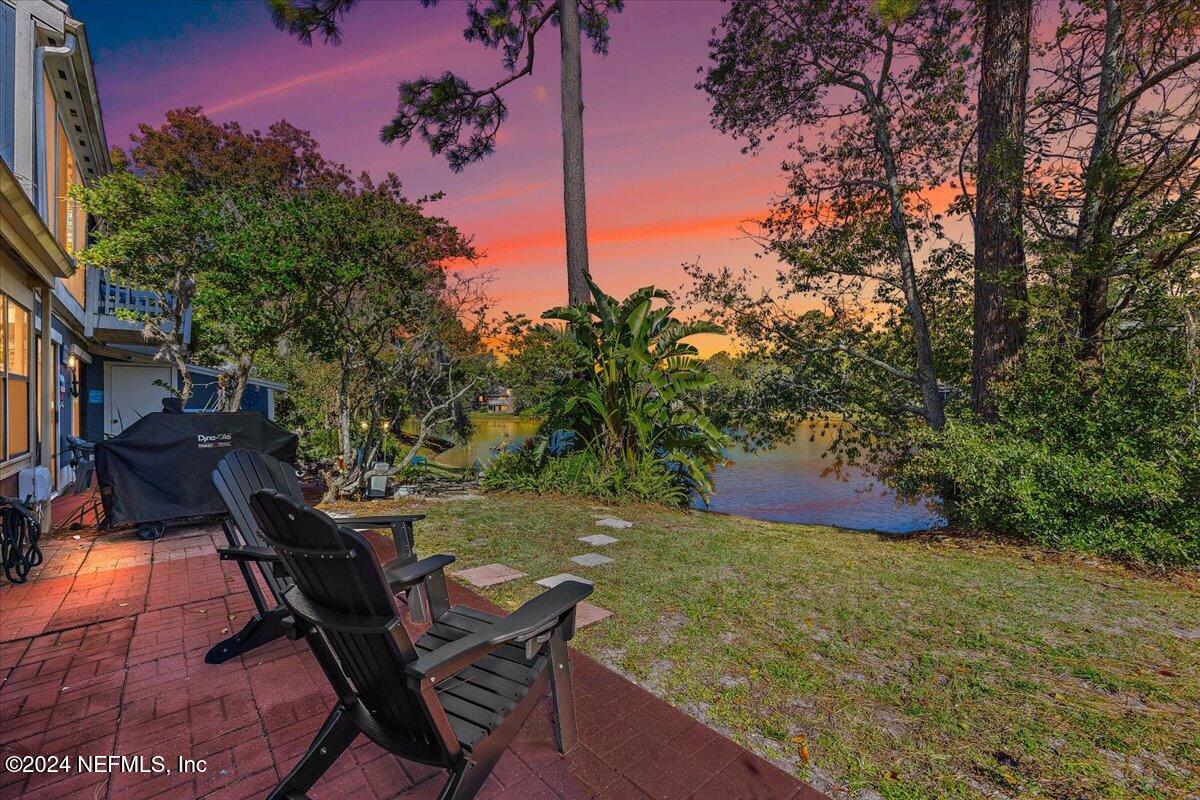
(455, 697)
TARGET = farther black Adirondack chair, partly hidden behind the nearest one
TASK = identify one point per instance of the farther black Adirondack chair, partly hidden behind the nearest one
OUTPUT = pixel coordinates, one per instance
(239, 476)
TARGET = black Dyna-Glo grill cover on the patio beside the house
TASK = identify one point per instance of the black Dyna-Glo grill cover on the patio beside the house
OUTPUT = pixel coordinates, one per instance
(159, 468)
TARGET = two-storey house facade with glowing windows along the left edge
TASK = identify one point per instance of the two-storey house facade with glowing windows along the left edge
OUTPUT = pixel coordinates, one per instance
(51, 139)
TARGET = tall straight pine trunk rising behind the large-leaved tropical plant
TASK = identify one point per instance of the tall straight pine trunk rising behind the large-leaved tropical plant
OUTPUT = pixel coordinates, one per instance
(574, 199)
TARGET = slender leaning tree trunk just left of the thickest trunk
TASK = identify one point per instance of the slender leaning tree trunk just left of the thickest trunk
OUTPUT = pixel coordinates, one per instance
(933, 404)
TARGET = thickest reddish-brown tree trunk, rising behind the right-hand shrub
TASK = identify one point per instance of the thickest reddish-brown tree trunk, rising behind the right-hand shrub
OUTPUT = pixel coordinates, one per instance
(1000, 272)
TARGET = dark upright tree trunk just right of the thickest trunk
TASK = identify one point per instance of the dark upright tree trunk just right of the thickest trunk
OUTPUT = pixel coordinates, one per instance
(1089, 285)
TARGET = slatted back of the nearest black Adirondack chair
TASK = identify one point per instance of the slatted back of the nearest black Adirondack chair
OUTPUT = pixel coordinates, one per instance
(334, 569)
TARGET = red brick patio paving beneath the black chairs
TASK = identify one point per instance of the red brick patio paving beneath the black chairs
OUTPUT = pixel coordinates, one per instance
(103, 653)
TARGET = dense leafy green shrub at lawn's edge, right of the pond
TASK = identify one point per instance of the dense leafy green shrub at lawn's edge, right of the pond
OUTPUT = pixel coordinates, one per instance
(1109, 467)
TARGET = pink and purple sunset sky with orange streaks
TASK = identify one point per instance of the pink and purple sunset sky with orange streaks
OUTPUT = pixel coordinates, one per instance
(664, 188)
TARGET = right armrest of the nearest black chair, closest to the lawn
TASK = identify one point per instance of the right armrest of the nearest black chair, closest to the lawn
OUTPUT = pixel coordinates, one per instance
(545, 612)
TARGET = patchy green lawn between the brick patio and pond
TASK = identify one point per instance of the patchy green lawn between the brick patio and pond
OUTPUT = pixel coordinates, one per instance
(903, 669)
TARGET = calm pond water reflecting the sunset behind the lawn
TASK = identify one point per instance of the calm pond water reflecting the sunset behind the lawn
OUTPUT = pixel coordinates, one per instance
(790, 484)
